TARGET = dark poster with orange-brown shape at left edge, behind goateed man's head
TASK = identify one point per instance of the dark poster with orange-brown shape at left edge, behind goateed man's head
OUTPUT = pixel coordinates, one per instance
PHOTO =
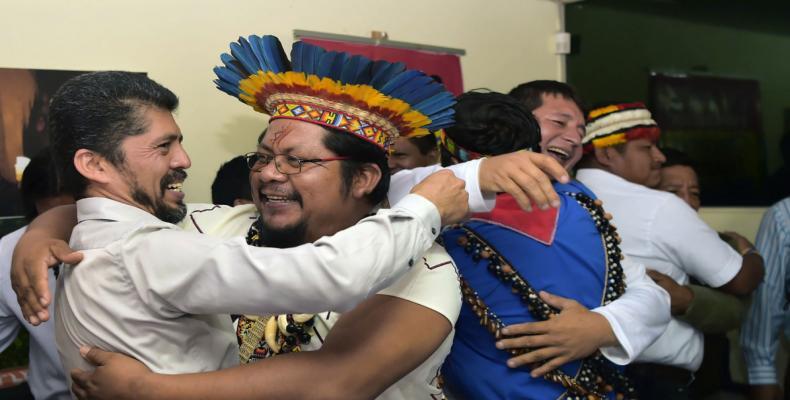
(24, 110)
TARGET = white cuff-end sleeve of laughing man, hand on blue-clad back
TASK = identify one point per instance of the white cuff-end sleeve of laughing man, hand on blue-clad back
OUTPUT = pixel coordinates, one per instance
(638, 317)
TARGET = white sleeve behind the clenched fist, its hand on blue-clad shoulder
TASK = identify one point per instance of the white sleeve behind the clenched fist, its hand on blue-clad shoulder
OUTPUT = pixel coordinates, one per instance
(402, 182)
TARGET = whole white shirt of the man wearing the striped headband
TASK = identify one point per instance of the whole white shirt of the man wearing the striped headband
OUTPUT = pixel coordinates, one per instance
(662, 232)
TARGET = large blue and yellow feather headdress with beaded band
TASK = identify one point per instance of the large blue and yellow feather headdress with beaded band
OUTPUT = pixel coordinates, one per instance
(375, 100)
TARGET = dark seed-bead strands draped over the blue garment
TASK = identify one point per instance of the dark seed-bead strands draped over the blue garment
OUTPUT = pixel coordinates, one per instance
(596, 376)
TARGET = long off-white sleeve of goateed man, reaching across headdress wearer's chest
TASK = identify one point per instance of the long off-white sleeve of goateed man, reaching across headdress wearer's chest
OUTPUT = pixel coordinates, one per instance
(182, 272)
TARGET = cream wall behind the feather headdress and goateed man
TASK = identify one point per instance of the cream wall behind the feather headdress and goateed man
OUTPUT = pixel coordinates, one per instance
(177, 43)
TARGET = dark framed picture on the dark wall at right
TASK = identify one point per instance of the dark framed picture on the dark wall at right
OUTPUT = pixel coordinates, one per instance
(716, 121)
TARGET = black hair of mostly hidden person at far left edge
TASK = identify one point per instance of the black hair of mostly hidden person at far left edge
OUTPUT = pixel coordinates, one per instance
(39, 182)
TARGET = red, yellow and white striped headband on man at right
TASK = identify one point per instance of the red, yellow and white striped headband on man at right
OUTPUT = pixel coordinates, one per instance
(619, 123)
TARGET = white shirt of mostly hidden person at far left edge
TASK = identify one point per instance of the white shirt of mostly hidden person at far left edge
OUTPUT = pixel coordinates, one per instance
(45, 374)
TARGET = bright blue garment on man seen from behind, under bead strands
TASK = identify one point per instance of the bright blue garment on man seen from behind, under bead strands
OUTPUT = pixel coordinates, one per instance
(573, 265)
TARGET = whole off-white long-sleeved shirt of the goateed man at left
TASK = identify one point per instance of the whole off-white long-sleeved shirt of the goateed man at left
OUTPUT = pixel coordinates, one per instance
(157, 293)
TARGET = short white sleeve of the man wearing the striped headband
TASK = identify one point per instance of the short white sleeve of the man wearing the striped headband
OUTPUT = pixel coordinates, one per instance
(687, 241)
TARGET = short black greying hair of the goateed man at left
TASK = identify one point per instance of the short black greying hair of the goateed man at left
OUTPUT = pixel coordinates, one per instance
(96, 111)
